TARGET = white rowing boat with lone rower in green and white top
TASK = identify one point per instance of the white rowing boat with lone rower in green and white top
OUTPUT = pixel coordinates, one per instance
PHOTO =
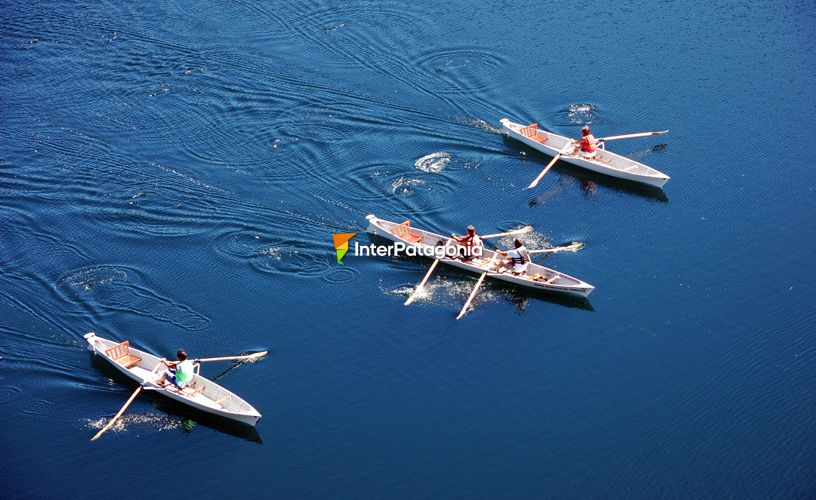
(201, 393)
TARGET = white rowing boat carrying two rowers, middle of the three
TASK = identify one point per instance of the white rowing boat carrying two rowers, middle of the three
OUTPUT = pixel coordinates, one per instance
(535, 277)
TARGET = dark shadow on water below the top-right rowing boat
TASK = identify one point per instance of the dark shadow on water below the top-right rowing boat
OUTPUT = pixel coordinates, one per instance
(587, 178)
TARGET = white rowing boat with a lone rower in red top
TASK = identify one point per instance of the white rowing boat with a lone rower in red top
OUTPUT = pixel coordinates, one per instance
(604, 162)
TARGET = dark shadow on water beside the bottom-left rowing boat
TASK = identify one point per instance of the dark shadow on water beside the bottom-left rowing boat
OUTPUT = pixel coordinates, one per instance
(188, 417)
